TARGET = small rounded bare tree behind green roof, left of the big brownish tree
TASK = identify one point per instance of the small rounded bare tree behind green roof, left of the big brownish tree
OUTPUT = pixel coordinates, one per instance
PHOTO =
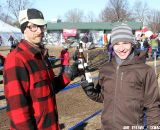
(74, 15)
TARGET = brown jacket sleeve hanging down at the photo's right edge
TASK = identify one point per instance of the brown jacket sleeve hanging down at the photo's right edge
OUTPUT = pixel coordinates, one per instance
(151, 99)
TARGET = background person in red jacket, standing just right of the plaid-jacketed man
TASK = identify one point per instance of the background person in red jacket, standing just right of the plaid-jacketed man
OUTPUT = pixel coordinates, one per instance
(65, 57)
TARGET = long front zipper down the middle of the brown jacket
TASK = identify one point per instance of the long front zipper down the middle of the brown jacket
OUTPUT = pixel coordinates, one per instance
(117, 71)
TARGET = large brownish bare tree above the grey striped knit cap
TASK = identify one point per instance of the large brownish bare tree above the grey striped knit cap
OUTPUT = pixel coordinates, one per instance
(116, 10)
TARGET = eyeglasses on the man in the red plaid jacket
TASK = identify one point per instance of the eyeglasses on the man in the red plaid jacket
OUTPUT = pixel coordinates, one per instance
(35, 27)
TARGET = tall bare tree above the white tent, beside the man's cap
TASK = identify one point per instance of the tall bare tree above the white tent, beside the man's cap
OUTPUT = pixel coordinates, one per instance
(15, 6)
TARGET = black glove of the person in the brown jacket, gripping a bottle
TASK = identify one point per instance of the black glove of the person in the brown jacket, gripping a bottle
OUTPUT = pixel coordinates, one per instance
(85, 85)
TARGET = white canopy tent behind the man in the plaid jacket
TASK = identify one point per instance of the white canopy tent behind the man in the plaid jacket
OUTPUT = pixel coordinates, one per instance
(6, 30)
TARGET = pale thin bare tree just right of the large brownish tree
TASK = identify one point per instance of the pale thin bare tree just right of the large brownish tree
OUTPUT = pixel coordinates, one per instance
(140, 11)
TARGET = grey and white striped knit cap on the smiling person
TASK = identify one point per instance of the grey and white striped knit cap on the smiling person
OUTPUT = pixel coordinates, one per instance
(121, 33)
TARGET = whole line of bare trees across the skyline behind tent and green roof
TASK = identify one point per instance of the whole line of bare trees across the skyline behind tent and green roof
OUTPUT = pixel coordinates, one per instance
(113, 11)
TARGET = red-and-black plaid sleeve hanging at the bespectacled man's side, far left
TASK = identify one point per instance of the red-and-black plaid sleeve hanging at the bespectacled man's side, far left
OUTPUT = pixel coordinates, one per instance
(16, 87)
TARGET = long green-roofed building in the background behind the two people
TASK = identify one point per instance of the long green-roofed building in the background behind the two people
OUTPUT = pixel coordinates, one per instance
(97, 32)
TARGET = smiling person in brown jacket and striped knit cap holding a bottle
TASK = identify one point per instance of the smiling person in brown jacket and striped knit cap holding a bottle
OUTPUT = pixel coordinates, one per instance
(126, 86)
